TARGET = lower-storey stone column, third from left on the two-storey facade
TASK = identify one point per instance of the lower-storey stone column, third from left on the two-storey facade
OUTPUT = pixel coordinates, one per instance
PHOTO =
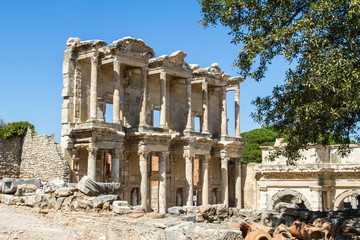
(143, 178)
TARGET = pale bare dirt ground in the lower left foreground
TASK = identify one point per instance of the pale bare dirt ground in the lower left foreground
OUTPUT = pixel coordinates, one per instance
(19, 222)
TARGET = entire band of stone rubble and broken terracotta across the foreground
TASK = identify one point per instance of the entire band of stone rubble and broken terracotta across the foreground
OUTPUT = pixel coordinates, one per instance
(229, 223)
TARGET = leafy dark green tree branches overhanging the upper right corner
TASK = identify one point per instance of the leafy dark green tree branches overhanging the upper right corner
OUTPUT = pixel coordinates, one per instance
(320, 97)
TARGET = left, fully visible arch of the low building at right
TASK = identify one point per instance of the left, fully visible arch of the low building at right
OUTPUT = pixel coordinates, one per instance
(289, 199)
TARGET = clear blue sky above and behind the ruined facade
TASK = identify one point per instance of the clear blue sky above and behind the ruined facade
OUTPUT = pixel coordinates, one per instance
(33, 37)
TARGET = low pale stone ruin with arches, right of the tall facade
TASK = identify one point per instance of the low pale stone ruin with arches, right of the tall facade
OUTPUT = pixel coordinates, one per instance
(321, 180)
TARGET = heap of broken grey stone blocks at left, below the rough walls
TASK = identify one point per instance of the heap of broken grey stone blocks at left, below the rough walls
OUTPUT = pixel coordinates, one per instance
(86, 195)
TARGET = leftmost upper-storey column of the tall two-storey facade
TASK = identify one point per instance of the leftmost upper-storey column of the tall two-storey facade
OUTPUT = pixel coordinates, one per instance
(93, 85)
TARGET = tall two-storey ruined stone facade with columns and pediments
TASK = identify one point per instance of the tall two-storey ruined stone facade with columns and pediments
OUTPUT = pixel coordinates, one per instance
(159, 165)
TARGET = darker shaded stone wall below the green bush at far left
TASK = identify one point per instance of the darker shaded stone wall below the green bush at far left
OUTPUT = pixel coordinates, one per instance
(10, 157)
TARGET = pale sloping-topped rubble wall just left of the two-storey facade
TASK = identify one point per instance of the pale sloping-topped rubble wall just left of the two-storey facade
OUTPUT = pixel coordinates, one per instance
(41, 158)
